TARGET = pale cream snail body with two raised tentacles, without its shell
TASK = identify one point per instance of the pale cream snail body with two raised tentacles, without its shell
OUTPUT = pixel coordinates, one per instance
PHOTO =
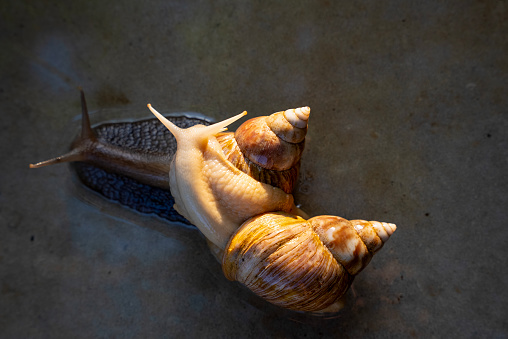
(209, 191)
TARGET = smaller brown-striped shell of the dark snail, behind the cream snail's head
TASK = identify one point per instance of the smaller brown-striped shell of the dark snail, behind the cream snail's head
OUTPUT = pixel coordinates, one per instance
(269, 148)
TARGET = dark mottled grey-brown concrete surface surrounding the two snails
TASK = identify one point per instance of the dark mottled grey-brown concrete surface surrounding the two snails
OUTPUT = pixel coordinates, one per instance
(409, 118)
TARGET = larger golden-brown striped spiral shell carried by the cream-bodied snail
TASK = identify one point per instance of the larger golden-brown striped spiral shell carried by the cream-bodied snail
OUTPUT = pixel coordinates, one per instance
(298, 264)
